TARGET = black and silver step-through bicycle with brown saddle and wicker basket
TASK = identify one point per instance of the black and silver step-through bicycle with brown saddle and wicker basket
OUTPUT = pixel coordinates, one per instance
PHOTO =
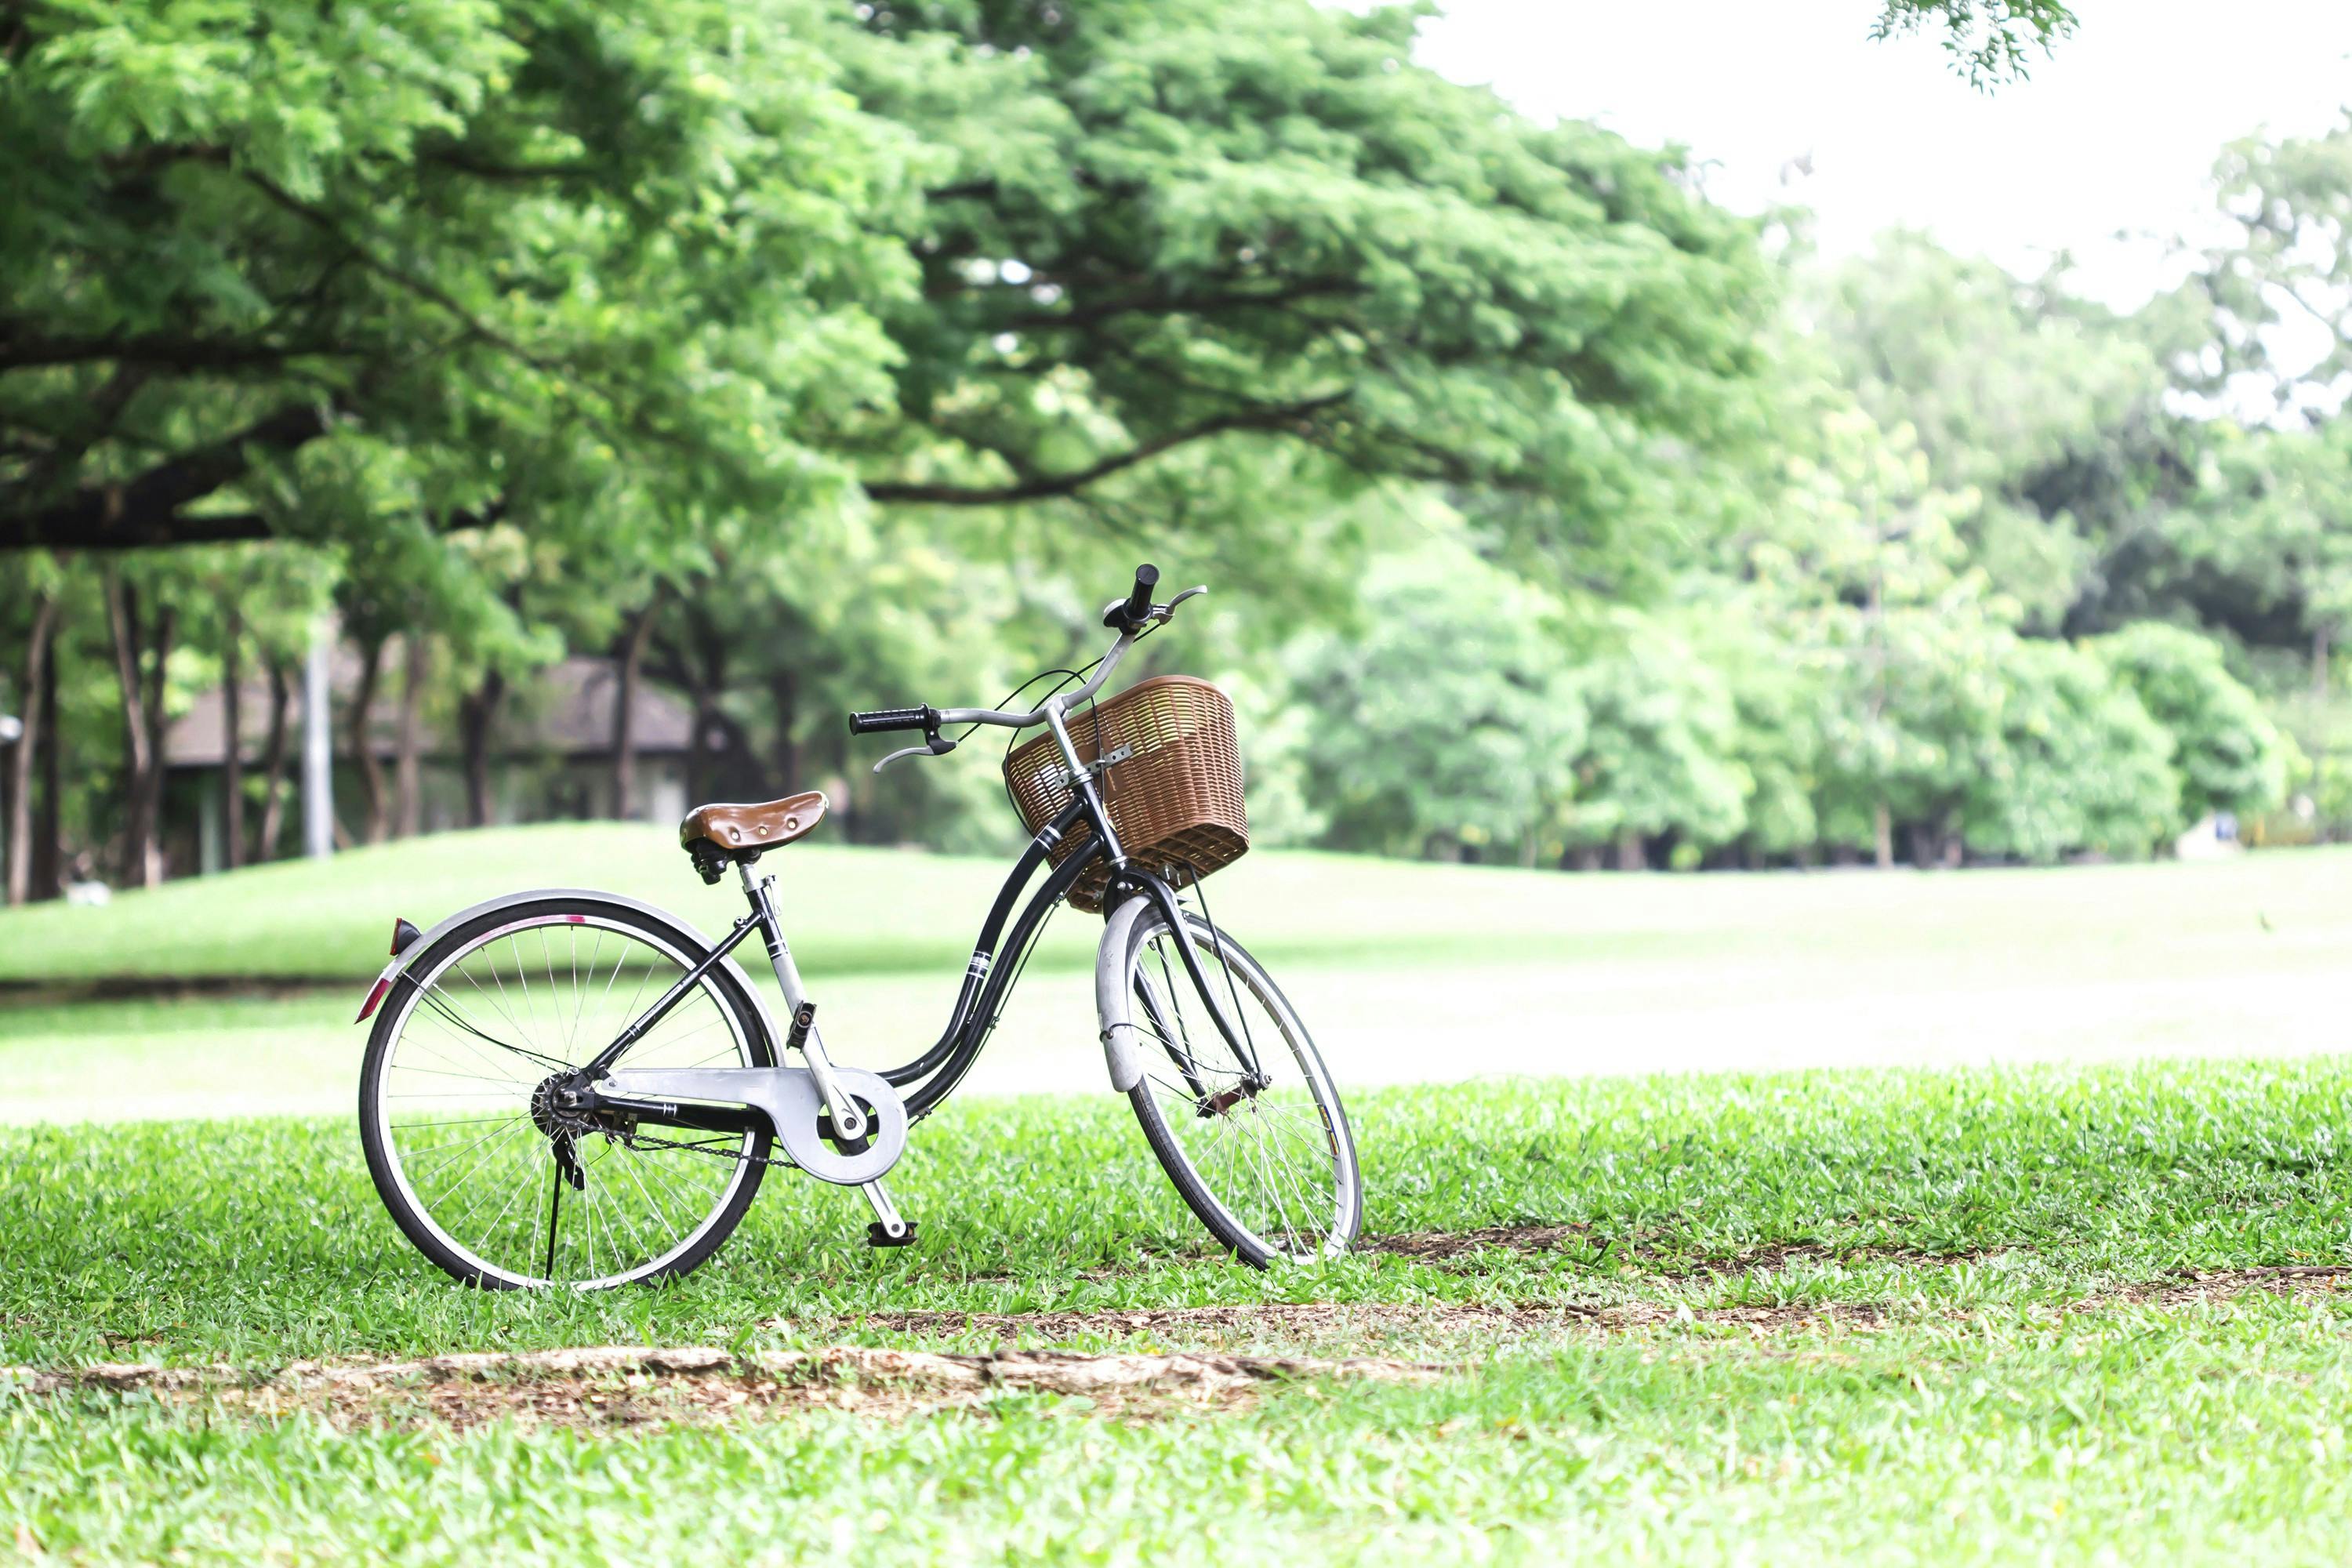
(505, 1078)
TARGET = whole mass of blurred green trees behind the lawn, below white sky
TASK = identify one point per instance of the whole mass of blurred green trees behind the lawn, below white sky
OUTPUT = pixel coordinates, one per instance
(794, 359)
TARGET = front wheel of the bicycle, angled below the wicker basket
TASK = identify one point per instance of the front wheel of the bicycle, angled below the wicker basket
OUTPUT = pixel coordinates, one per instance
(1189, 1066)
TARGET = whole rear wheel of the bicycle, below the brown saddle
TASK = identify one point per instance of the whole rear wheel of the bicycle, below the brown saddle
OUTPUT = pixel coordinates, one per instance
(472, 1151)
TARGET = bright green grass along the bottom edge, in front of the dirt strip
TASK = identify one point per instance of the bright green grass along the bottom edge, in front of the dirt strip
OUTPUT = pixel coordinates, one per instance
(2097, 1440)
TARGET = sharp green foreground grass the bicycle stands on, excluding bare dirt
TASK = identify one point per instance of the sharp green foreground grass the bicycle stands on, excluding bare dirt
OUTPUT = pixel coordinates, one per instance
(1979, 1423)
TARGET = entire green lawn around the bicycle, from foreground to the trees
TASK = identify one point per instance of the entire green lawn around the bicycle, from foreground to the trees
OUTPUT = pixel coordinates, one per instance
(1984, 1313)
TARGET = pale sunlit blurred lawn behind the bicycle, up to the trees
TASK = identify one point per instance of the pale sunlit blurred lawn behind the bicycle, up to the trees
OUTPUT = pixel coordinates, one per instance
(1405, 972)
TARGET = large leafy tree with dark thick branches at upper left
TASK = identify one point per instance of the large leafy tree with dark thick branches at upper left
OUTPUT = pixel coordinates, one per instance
(295, 272)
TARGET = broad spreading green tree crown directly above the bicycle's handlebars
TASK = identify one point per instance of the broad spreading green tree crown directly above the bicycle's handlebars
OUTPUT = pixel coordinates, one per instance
(1236, 225)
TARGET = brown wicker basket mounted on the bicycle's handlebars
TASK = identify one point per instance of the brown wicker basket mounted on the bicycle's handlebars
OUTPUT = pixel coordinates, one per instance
(1175, 800)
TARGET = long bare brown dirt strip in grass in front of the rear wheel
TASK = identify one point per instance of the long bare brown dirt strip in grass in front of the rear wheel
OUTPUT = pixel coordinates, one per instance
(622, 1386)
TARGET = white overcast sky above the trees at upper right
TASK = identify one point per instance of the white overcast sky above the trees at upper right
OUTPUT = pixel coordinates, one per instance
(2113, 135)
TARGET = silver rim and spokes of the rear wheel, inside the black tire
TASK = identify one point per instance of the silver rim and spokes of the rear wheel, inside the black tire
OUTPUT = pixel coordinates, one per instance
(479, 1033)
